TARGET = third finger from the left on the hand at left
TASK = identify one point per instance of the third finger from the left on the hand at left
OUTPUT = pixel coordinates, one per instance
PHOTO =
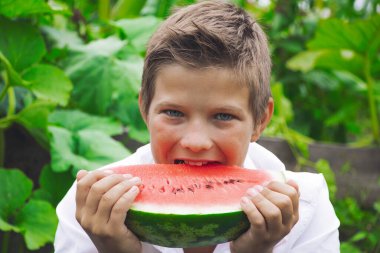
(109, 199)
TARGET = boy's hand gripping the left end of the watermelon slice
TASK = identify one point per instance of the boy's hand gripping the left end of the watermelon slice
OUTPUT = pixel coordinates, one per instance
(103, 199)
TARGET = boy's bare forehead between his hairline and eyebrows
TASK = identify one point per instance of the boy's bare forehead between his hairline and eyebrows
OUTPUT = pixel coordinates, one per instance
(206, 86)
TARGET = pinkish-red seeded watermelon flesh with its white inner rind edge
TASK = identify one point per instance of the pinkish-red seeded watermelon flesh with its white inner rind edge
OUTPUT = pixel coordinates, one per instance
(194, 189)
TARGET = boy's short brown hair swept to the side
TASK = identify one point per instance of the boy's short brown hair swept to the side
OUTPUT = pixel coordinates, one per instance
(211, 34)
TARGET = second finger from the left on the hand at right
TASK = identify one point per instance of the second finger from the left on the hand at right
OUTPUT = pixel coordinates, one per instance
(271, 213)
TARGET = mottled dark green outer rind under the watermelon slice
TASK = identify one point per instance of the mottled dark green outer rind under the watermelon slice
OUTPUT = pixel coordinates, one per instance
(186, 231)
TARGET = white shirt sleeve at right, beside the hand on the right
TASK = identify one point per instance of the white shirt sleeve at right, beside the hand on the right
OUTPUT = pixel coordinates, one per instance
(317, 228)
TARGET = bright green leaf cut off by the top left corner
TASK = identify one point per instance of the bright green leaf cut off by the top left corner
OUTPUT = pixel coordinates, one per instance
(17, 8)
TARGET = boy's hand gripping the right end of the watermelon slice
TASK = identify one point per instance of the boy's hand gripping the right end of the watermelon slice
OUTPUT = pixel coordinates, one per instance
(272, 211)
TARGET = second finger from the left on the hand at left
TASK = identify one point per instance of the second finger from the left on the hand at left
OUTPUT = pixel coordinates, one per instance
(98, 190)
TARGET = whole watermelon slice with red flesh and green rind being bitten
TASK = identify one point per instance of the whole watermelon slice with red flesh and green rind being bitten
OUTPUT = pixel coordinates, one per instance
(189, 206)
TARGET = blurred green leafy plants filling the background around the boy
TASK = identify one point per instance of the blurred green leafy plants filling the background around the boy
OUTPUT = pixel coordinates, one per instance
(69, 78)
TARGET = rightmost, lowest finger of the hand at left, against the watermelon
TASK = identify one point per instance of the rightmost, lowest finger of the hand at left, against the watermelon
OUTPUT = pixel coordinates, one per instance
(121, 207)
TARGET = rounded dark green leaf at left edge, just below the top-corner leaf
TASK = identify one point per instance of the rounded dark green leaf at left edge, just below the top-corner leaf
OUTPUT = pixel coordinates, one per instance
(21, 43)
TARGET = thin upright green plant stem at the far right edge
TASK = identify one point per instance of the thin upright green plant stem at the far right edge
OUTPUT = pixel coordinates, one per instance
(371, 100)
